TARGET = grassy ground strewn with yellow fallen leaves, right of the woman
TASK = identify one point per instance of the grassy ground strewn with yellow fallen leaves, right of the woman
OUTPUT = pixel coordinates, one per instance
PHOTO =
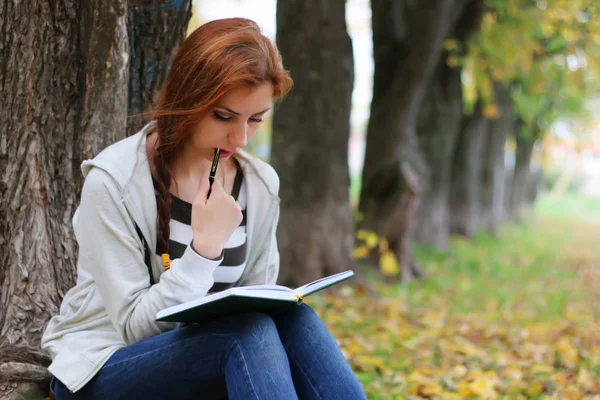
(512, 317)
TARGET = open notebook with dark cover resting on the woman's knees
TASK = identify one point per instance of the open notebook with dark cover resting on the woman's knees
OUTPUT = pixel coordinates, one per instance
(246, 298)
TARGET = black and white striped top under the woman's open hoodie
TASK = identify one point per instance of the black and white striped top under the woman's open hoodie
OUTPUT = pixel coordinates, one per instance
(234, 252)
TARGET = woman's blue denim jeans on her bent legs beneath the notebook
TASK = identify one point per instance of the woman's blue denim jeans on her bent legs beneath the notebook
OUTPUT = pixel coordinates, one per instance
(287, 354)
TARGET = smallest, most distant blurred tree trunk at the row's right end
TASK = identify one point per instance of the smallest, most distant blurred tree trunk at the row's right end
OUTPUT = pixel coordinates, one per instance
(521, 174)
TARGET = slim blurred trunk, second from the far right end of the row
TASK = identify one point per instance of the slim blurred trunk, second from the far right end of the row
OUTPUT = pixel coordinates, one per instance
(492, 209)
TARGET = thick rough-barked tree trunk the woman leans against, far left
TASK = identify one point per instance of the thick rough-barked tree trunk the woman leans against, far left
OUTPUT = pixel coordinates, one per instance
(64, 74)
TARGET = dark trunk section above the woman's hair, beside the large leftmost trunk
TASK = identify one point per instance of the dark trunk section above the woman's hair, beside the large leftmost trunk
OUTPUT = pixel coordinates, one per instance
(157, 27)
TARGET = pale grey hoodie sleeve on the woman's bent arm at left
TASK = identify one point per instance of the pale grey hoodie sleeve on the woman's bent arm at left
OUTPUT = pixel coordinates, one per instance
(109, 251)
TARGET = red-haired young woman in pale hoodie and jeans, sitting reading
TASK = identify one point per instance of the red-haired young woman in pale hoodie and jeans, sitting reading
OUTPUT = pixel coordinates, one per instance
(150, 236)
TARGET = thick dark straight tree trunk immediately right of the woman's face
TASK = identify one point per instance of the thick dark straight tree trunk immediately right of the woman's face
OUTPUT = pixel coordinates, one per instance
(311, 128)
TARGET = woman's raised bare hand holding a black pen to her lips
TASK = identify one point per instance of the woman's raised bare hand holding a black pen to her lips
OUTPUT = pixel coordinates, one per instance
(213, 219)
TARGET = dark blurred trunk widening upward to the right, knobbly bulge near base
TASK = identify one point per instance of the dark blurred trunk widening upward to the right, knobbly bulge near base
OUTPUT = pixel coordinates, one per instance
(407, 39)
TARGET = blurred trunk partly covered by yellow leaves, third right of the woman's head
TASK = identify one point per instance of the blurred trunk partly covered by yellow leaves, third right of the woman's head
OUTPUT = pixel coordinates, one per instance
(438, 129)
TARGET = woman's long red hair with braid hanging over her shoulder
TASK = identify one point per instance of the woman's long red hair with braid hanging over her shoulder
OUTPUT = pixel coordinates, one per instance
(217, 57)
